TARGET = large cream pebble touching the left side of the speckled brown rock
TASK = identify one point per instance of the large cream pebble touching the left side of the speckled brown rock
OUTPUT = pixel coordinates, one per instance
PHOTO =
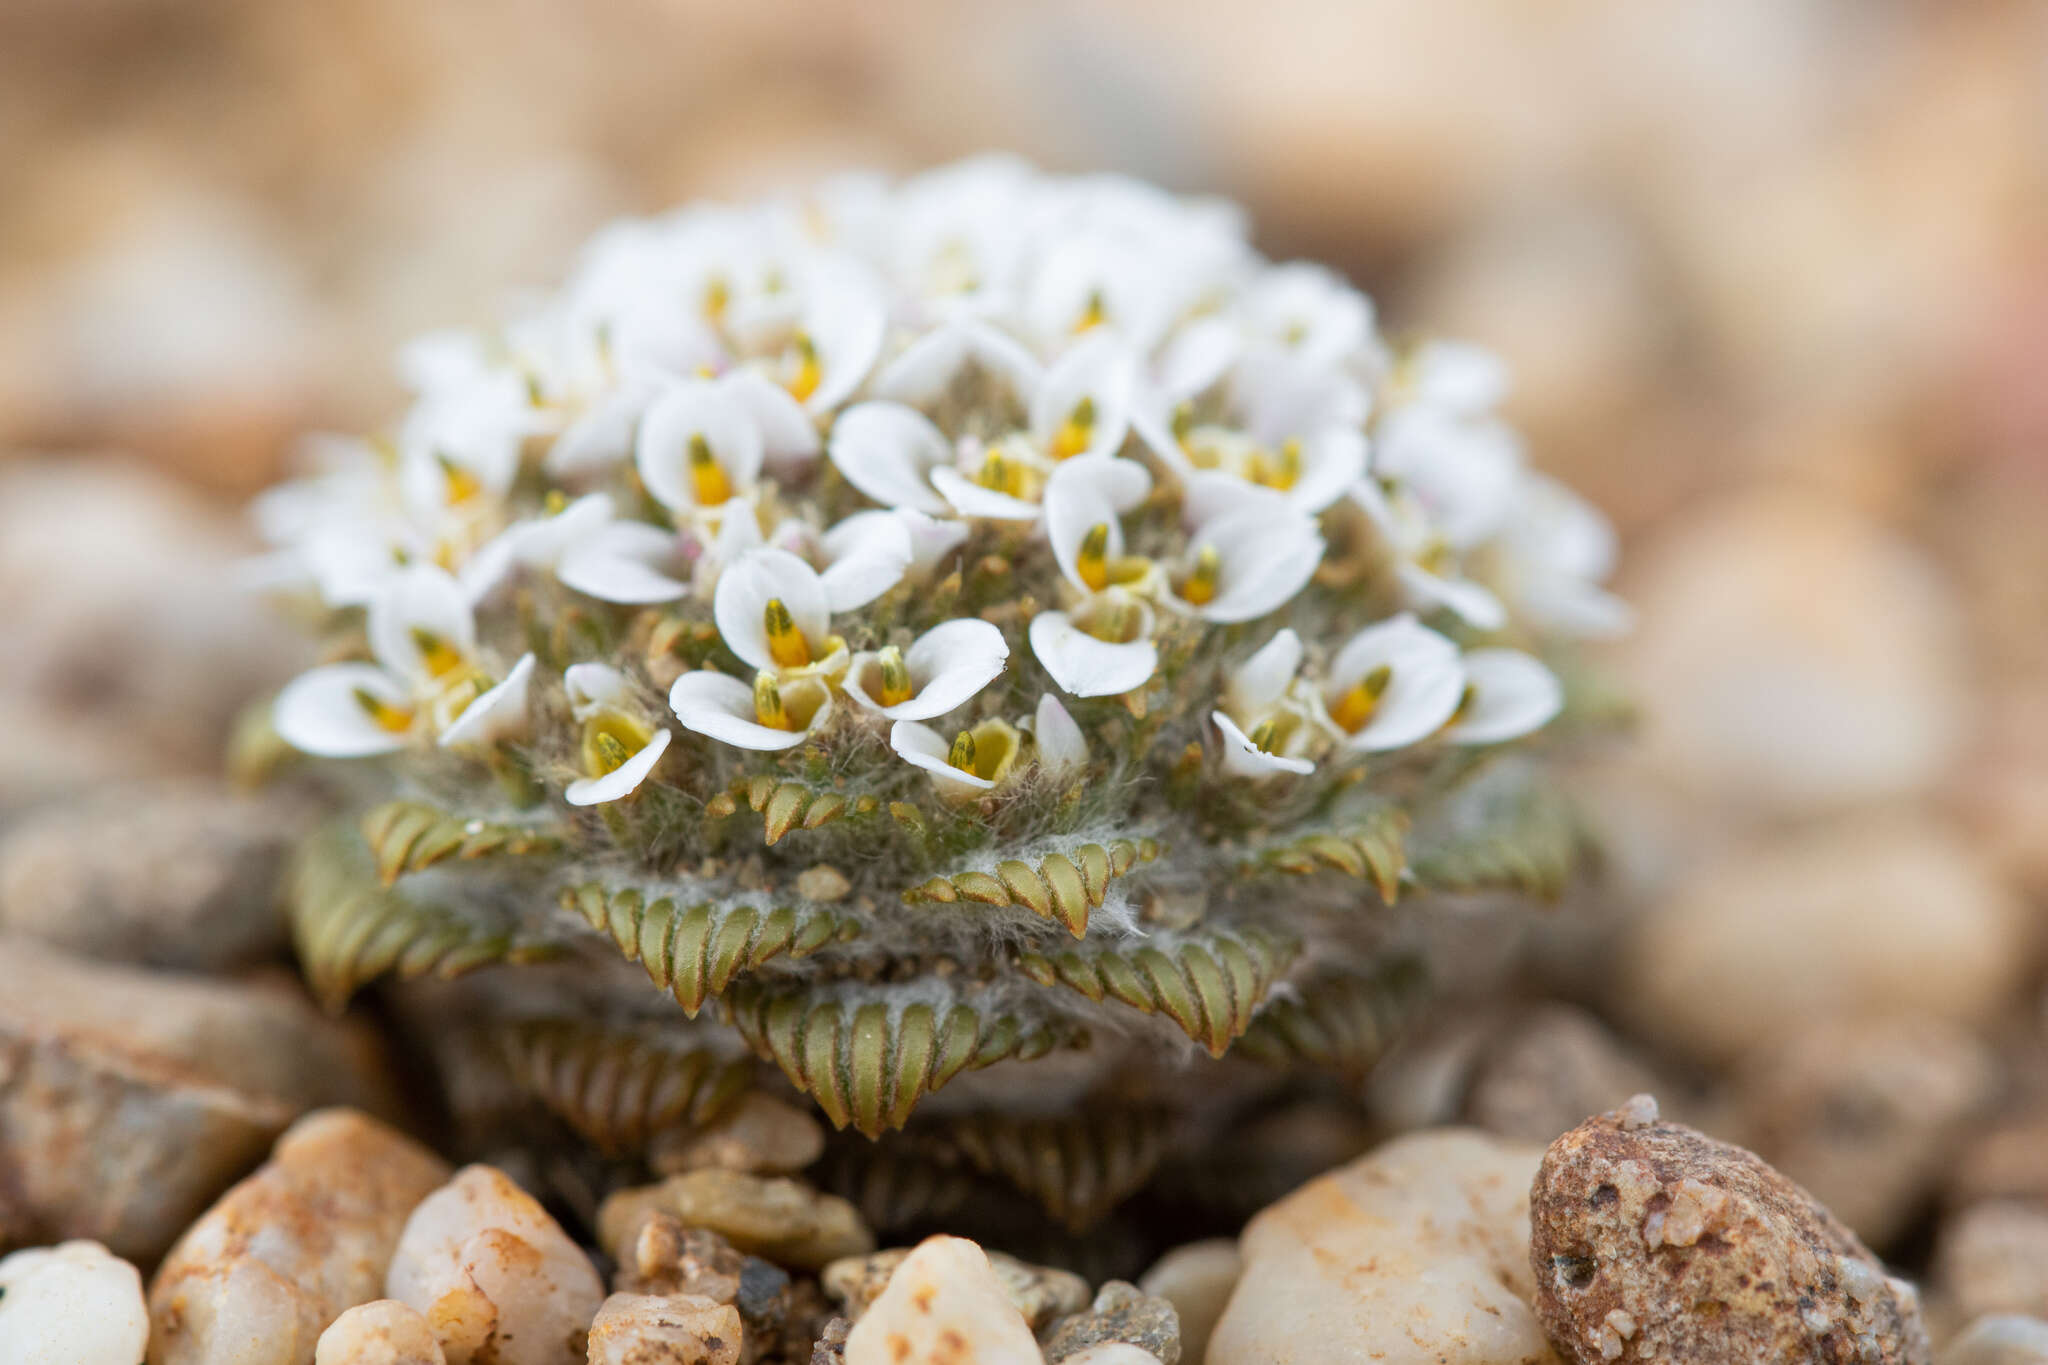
(1410, 1256)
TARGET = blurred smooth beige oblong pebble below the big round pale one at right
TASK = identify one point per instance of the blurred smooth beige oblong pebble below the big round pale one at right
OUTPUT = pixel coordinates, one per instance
(1877, 914)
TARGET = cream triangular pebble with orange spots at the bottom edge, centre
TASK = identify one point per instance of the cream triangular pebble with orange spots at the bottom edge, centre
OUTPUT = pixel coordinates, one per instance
(943, 1307)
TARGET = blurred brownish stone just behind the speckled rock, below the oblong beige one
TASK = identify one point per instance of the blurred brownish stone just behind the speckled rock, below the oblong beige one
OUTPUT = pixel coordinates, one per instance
(1867, 1114)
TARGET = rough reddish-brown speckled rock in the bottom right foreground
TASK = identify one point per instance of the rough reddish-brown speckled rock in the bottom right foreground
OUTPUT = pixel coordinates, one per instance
(1652, 1241)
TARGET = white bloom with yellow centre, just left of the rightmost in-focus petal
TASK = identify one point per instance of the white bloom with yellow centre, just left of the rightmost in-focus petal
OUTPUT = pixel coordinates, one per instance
(1392, 687)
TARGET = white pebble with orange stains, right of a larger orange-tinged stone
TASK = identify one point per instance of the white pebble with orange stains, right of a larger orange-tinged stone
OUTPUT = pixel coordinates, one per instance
(497, 1276)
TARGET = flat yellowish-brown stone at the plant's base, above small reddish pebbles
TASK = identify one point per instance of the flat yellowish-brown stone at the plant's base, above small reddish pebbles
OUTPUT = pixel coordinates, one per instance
(777, 1219)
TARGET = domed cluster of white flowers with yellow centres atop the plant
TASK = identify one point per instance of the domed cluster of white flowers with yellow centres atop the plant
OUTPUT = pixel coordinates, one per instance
(937, 464)
